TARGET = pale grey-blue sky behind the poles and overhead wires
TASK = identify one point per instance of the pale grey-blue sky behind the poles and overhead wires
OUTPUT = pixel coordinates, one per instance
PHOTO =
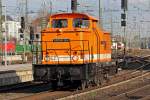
(138, 13)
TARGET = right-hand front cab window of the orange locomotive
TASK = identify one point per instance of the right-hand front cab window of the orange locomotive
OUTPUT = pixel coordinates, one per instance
(81, 23)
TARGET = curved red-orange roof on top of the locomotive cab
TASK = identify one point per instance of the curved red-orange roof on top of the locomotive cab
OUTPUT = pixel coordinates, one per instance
(74, 15)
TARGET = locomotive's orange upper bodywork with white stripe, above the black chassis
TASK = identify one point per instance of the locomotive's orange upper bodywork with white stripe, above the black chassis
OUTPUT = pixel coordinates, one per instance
(87, 44)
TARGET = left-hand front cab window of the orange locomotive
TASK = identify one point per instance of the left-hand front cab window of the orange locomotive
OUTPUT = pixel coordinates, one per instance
(59, 23)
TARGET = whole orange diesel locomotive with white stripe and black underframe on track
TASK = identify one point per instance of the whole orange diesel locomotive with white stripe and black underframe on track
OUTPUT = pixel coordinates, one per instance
(74, 50)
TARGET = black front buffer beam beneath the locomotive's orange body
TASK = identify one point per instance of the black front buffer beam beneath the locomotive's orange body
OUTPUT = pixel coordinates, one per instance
(71, 72)
